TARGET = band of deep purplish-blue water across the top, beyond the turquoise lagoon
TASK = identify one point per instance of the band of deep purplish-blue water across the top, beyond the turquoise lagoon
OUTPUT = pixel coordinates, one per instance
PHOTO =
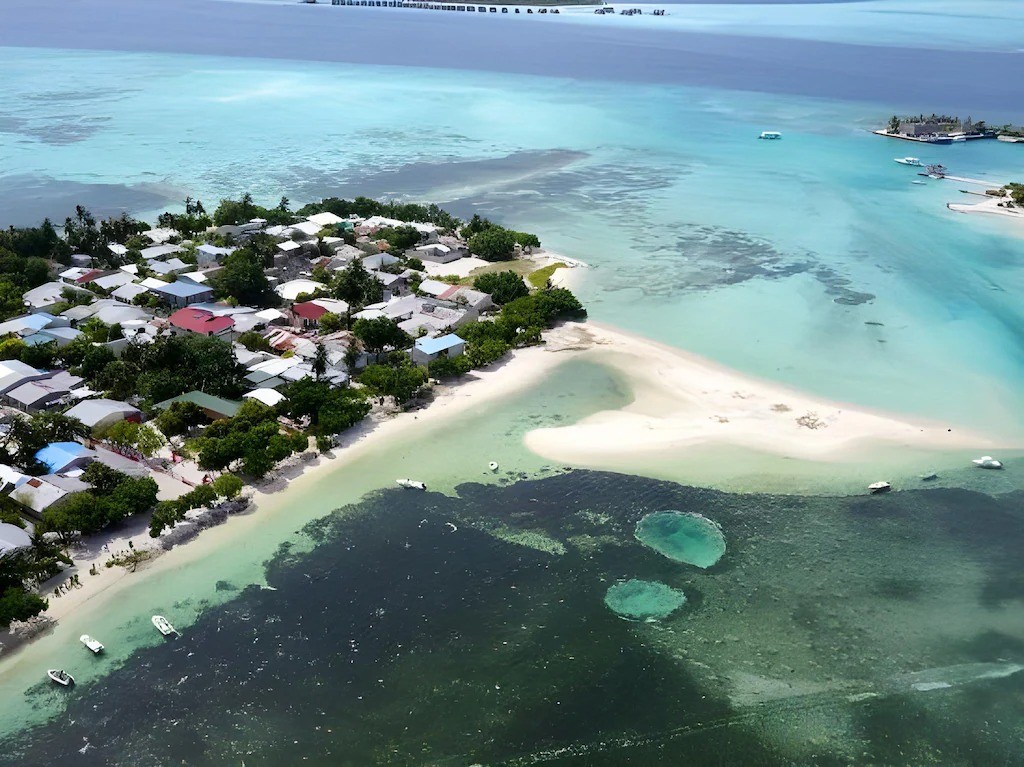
(910, 76)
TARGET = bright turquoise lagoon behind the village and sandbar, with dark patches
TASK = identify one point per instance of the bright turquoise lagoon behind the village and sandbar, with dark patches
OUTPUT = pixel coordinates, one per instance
(814, 262)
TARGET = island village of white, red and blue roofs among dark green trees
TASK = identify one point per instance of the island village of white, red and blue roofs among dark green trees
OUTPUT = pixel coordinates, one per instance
(150, 374)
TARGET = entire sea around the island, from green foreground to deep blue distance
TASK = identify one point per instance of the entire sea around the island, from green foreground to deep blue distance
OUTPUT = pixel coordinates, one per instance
(833, 631)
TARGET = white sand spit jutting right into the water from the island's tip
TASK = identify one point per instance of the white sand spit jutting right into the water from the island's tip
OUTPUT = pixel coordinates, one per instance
(682, 402)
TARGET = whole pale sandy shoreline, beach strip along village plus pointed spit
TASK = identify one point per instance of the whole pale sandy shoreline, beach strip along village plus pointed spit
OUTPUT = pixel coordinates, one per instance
(681, 404)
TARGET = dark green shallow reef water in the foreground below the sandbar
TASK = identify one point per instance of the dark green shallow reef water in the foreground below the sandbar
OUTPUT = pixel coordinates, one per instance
(406, 631)
